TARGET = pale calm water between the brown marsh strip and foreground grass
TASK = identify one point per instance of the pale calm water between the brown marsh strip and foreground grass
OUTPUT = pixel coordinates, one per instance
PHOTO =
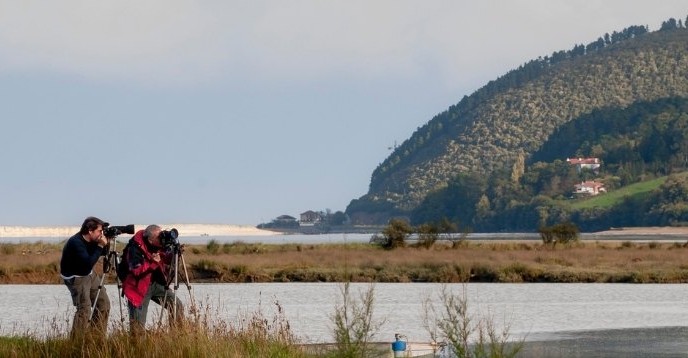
(536, 311)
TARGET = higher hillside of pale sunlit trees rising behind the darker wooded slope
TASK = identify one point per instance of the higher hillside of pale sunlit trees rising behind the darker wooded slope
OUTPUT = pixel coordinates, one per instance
(503, 125)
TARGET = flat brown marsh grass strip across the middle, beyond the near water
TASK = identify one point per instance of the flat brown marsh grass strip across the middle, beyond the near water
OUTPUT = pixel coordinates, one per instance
(461, 261)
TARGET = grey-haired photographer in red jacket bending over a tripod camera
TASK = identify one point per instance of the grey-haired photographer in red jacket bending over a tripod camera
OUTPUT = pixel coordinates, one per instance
(148, 264)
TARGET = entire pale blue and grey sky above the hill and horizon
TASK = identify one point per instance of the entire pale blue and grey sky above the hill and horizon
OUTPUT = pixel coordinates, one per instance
(236, 112)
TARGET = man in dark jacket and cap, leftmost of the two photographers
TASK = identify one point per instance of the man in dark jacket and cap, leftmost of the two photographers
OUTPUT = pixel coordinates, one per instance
(79, 256)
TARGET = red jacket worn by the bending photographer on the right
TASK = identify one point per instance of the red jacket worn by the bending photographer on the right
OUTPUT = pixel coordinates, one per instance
(140, 275)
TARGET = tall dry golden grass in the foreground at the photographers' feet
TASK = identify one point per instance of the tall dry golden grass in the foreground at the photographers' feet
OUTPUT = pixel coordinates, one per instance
(201, 335)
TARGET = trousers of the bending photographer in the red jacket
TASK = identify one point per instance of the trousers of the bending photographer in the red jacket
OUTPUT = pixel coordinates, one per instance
(161, 295)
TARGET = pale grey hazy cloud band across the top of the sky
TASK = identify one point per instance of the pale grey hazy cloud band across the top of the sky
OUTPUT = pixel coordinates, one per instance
(178, 42)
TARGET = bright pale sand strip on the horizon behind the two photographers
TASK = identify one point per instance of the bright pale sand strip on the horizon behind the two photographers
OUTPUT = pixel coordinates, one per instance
(184, 230)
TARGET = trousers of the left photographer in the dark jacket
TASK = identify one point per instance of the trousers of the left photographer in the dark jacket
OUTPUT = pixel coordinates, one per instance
(84, 290)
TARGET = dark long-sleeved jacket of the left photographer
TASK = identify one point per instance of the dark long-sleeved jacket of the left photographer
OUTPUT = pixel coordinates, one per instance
(79, 256)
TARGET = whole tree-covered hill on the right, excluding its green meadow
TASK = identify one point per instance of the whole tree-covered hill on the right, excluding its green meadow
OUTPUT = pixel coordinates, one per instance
(495, 161)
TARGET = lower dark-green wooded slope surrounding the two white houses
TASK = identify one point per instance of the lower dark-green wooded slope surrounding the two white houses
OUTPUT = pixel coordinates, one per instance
(642, 152)
